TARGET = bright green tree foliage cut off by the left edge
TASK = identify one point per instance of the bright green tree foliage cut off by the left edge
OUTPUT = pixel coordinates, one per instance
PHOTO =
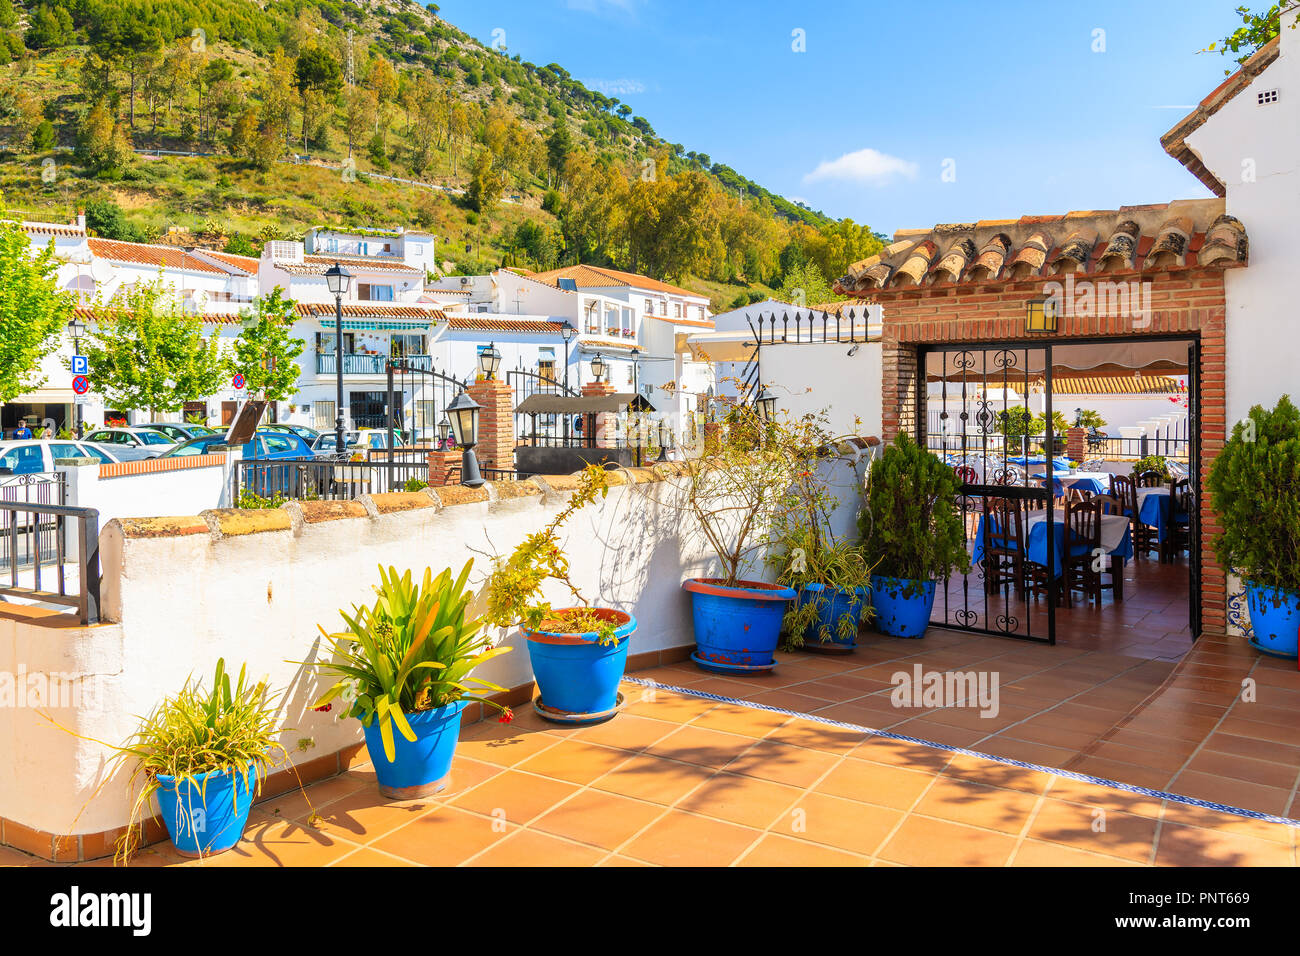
(33, 312)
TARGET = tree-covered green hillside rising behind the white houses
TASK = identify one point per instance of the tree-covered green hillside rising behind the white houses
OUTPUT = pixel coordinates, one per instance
(229, 123)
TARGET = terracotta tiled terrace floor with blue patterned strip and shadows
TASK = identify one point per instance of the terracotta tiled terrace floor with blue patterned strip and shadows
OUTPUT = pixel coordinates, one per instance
(679, 780)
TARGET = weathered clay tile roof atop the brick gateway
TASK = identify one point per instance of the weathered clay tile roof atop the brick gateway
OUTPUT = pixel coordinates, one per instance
(1185, 235)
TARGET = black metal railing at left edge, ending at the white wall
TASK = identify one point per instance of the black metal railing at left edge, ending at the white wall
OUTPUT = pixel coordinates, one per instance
(36, 550)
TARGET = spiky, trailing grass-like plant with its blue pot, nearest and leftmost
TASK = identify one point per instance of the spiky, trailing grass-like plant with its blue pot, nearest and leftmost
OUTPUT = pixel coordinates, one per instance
(203, 755)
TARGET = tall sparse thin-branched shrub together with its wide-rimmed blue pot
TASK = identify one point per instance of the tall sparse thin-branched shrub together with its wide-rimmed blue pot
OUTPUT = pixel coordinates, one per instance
(735, 495)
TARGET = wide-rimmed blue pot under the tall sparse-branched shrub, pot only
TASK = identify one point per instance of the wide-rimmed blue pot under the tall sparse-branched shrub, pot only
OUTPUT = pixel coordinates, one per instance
(738, 628)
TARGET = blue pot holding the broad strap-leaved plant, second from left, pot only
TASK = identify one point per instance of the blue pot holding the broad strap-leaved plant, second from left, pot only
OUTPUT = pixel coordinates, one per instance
(419, 767)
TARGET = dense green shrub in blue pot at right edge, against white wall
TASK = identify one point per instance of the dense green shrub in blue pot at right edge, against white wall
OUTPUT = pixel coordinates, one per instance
(1255, 490)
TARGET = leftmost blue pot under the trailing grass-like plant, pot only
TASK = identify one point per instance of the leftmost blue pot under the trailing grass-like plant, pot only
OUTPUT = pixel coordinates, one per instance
(207, 816)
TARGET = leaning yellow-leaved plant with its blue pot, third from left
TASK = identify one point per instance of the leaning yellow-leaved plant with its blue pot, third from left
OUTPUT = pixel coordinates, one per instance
(578, 654)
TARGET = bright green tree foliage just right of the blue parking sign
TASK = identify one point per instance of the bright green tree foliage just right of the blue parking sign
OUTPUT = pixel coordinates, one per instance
(145, 352)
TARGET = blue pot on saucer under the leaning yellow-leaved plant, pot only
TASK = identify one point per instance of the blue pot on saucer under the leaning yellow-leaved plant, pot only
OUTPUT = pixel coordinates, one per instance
(577, 676)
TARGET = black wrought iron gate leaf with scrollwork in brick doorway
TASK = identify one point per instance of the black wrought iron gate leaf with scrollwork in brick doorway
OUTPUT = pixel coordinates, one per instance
(974, 412)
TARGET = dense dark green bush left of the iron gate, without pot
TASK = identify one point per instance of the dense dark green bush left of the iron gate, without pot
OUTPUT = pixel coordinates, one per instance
(912, 527)
